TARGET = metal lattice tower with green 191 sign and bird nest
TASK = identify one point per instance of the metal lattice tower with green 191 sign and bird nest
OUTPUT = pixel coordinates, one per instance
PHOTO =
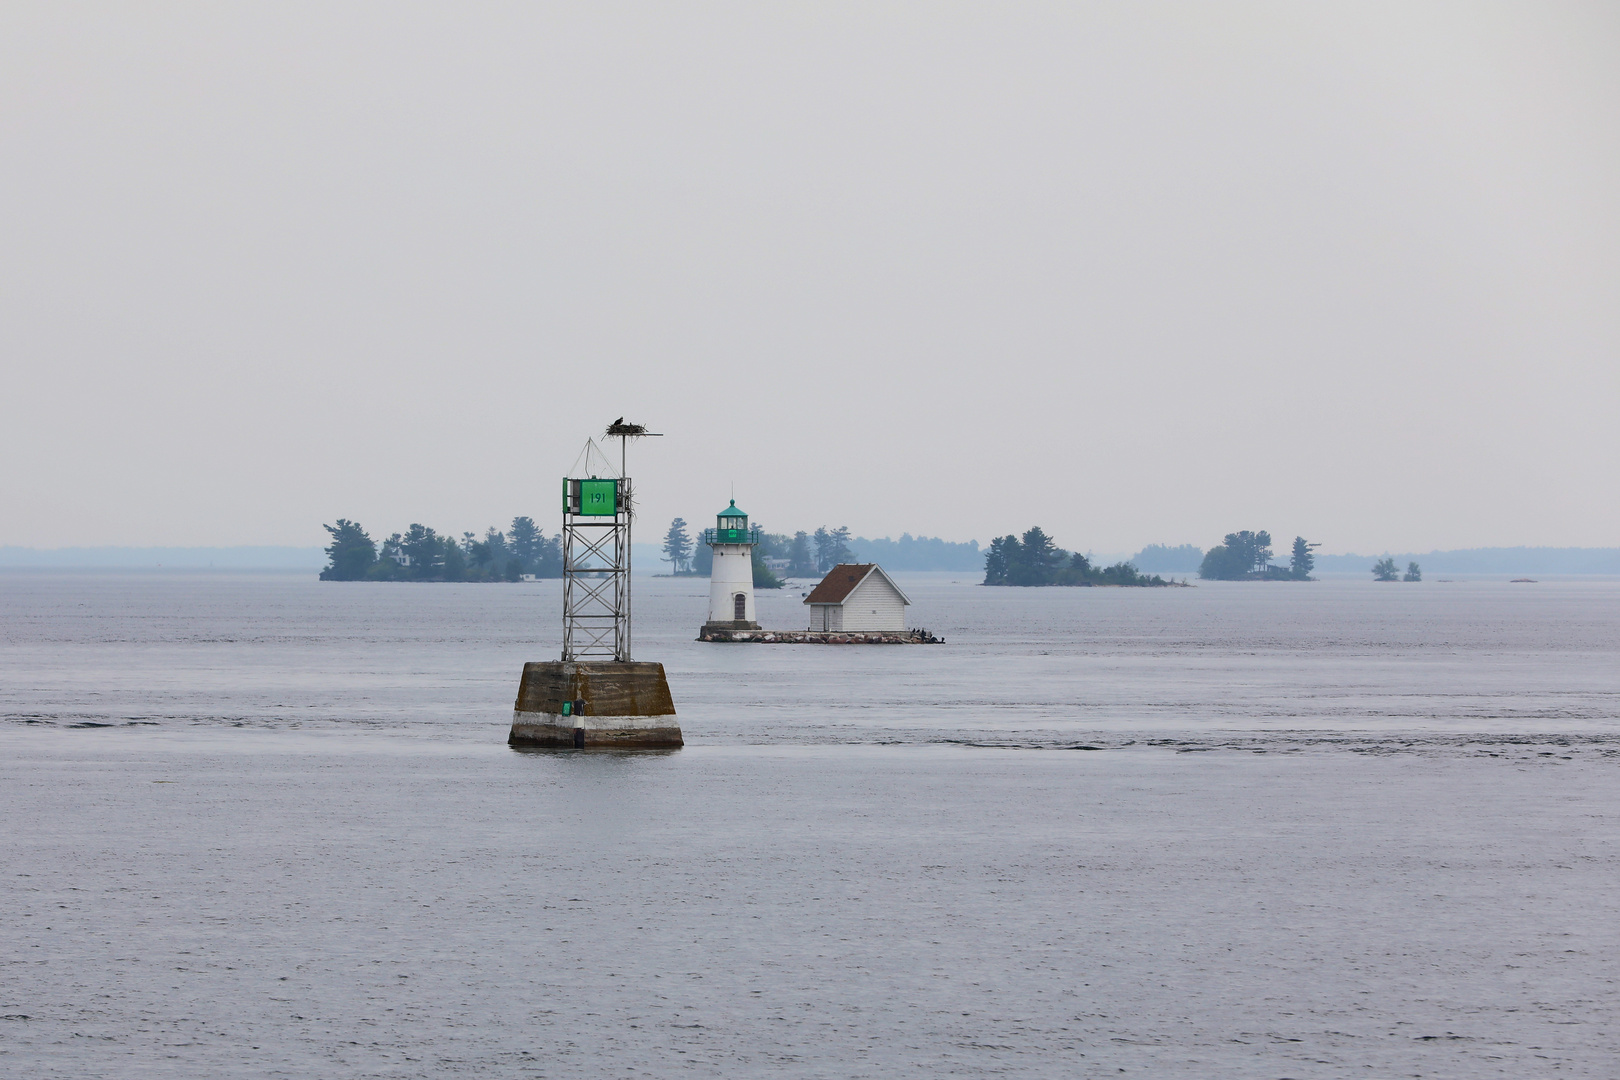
(597, 514)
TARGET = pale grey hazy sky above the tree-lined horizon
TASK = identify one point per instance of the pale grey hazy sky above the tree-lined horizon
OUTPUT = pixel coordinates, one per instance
(1135, 273)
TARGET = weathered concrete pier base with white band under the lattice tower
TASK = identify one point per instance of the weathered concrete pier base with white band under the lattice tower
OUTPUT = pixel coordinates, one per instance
(610, 705)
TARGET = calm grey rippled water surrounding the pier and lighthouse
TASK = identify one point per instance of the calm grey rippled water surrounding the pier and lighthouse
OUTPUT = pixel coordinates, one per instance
(265, 827)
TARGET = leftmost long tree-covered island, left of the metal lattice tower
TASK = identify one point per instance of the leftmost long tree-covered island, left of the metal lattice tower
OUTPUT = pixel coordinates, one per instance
(422, 555)
